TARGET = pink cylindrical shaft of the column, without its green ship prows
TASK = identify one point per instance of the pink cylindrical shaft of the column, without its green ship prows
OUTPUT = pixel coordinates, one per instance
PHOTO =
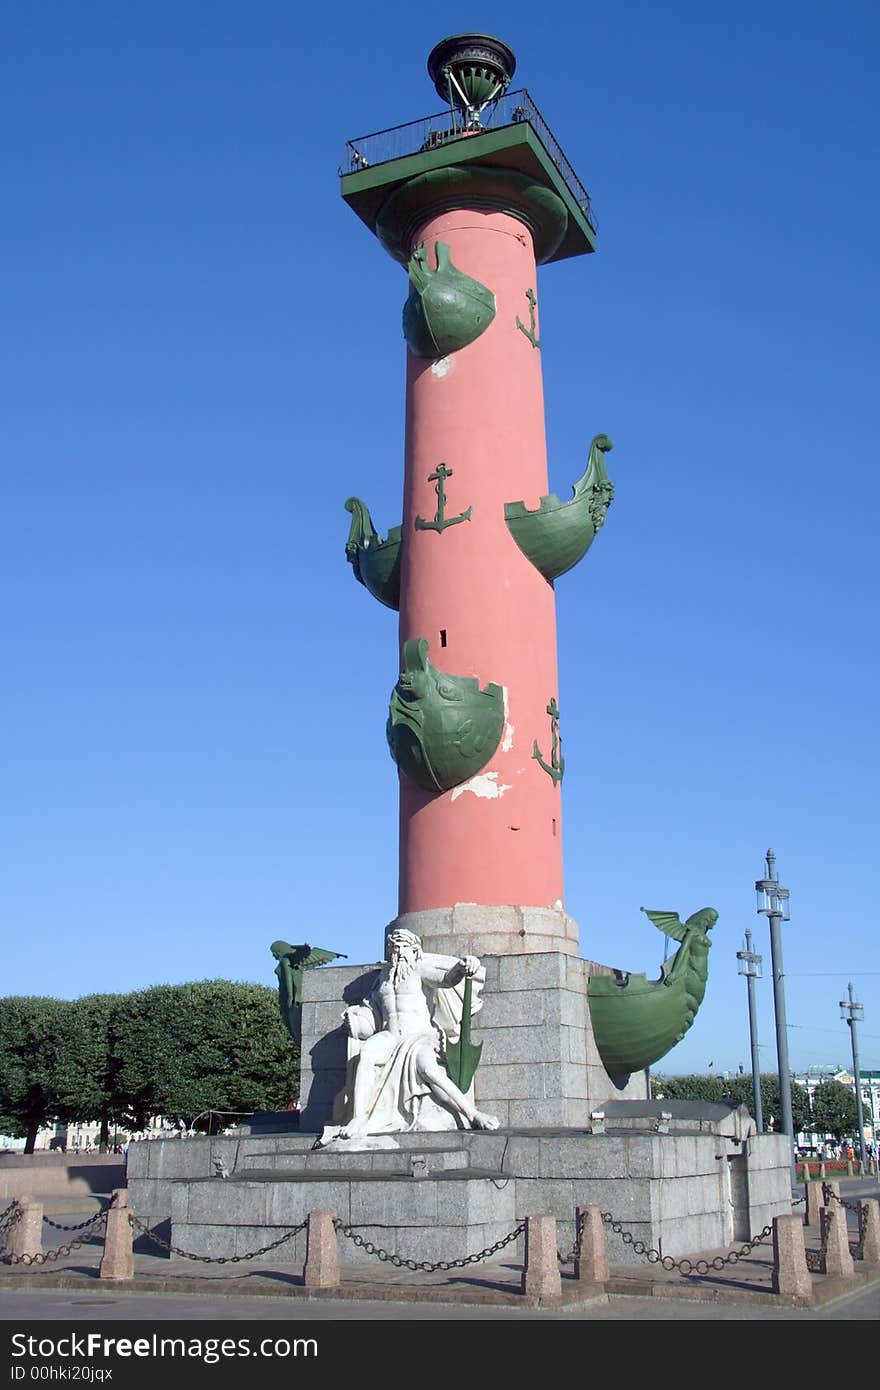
(497, 840)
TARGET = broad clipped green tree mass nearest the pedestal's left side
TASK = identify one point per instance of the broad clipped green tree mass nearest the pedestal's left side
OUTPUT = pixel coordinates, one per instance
(183, 1050)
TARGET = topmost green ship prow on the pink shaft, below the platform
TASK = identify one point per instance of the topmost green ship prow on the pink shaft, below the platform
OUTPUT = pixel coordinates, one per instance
(446, 311)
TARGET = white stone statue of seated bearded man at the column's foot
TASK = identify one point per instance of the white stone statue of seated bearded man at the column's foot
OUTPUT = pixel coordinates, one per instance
(398, 1038)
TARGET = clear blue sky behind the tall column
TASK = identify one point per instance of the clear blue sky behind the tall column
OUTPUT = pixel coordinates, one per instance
(202, 359)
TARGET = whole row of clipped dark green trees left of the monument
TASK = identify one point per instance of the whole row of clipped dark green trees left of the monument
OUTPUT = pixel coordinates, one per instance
(174, 1050)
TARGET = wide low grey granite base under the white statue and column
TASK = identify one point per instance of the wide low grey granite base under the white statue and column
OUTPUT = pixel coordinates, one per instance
(699, 1188)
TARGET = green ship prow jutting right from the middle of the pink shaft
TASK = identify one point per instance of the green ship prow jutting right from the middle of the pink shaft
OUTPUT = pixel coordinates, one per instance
(558, 534)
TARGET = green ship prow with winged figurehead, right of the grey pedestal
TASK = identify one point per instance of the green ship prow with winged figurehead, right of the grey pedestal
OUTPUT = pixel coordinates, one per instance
(637, 1021)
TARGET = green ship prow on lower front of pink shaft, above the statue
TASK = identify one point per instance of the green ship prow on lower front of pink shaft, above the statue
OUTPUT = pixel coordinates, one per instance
(441, 729)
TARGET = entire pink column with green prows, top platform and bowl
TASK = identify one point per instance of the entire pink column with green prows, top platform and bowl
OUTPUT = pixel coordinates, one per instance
(472, 202)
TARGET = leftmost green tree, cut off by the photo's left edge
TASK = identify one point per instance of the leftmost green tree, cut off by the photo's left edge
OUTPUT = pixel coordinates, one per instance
(33, 1063)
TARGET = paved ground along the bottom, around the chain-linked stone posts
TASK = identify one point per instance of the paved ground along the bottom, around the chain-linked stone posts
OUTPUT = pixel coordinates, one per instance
(165, 1291)
